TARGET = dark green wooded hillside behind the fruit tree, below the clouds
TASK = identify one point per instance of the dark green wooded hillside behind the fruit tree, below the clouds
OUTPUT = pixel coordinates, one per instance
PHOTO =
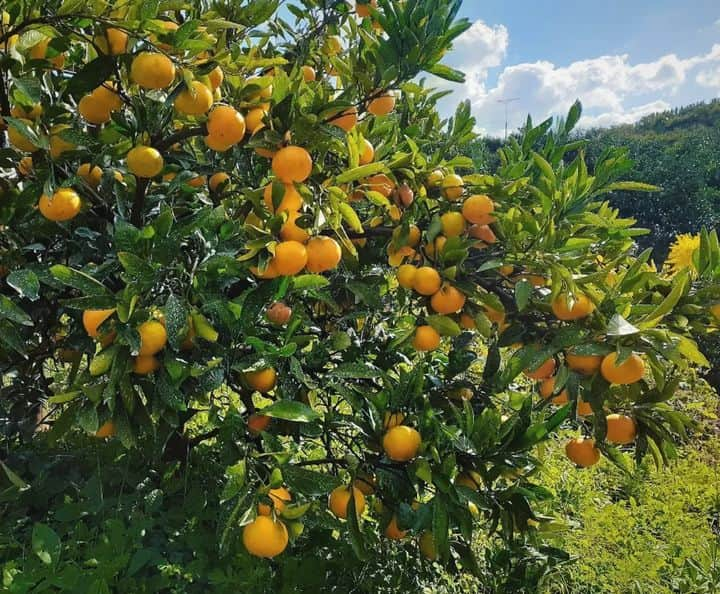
(679, 151)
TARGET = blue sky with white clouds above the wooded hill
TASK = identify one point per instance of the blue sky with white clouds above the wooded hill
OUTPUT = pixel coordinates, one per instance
(622, 58)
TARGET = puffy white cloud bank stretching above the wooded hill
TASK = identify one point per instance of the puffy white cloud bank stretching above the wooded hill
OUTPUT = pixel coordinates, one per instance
(612, 88)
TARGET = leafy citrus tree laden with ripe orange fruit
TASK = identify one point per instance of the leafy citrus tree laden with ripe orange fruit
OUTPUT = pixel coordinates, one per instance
(242, 272)
